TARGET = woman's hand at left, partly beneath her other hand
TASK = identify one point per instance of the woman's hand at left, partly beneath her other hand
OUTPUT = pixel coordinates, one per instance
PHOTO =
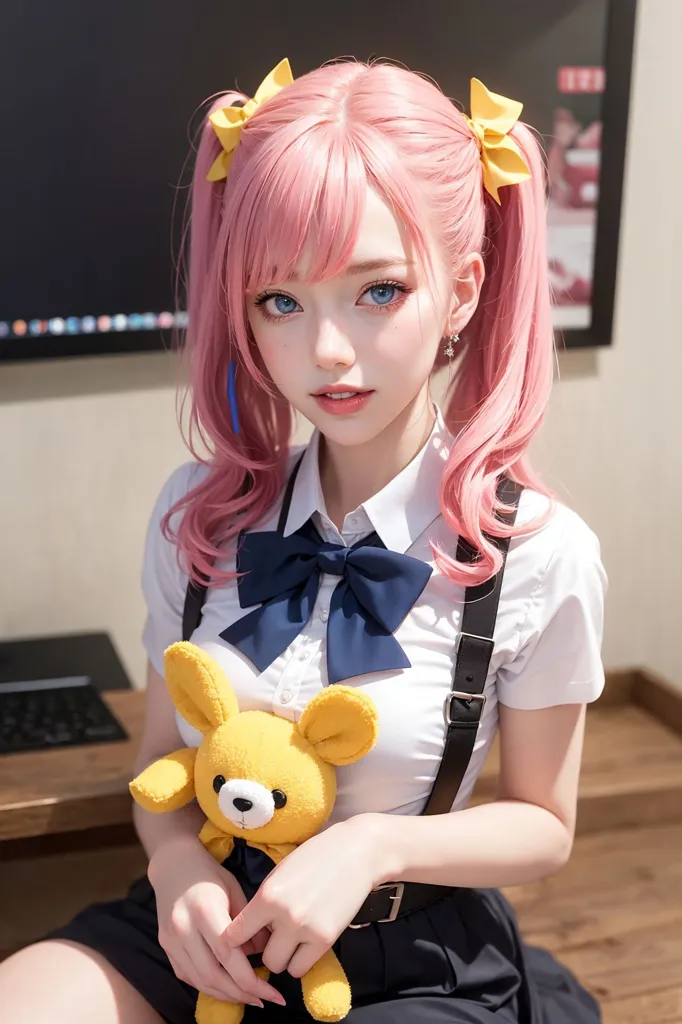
(196, 899)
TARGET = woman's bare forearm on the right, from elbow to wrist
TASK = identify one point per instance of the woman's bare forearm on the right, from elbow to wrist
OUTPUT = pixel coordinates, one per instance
(500, 844)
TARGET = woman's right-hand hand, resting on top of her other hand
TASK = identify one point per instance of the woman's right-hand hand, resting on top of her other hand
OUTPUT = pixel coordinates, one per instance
(312, 897)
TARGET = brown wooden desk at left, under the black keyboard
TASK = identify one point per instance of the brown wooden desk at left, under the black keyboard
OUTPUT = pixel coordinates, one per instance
(79, 788)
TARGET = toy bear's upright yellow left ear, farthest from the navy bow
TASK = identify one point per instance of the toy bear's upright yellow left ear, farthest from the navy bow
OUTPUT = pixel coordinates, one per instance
(199, 688)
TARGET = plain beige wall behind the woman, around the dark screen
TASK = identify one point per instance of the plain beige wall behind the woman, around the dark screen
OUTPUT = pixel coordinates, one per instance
(87, 444)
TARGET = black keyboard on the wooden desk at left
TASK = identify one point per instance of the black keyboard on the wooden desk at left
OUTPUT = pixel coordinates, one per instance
(50, 713)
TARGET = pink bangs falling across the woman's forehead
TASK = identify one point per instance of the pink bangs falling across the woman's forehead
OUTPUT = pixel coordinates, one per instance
(301, 211)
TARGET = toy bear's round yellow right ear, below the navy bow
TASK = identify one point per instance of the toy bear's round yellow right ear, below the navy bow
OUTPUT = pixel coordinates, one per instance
(342, 723)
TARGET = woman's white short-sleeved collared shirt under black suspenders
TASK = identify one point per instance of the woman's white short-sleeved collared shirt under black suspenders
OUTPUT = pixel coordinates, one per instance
(547, 638)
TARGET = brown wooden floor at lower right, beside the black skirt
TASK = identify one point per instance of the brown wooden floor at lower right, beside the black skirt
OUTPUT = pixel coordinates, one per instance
(615, 917)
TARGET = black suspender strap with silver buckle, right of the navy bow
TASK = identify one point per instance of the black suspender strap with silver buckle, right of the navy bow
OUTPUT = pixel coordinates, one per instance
(466, 700)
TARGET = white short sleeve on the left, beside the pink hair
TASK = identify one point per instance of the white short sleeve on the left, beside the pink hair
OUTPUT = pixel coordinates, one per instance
(164, 582)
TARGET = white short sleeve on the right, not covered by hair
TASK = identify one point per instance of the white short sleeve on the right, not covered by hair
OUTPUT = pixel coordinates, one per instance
(559, 660)
